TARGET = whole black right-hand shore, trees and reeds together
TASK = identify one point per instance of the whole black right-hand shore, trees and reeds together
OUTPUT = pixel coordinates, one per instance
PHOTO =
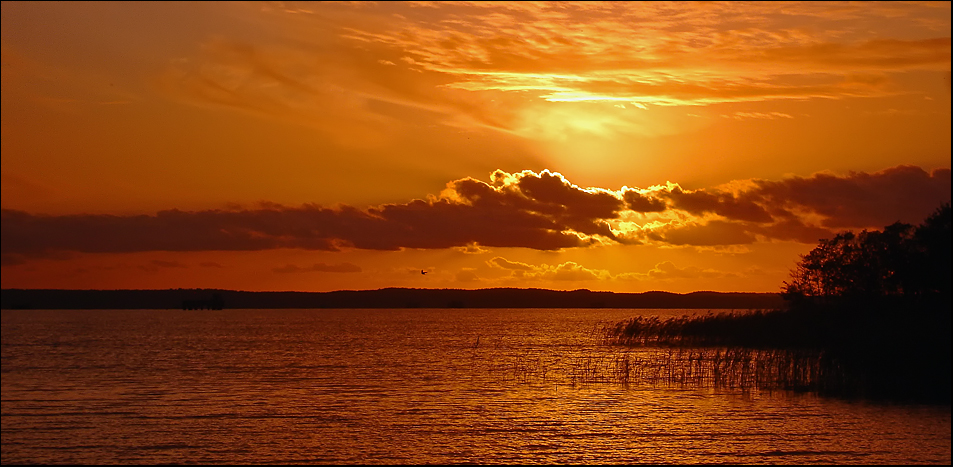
(867, 315)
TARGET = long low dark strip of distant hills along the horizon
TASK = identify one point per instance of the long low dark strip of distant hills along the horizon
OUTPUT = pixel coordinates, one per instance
(380, 298)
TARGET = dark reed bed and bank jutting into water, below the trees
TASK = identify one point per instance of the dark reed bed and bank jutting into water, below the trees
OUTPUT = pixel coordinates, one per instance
(887, 352)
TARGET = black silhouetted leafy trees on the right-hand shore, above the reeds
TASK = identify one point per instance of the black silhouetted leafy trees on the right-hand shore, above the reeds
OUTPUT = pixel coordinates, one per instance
(900, 261)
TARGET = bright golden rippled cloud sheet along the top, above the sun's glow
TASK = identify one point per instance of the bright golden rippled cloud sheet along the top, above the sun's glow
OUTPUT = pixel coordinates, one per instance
(669, 54)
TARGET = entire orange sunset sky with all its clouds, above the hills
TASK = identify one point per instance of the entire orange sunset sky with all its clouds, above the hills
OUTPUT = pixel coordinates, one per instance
(325, 146)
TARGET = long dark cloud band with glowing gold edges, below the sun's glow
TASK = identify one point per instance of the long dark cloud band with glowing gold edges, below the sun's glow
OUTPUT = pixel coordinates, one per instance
(541, 211)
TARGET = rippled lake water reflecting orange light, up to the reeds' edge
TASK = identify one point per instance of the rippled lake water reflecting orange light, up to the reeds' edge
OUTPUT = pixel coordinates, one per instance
(399, 386)
